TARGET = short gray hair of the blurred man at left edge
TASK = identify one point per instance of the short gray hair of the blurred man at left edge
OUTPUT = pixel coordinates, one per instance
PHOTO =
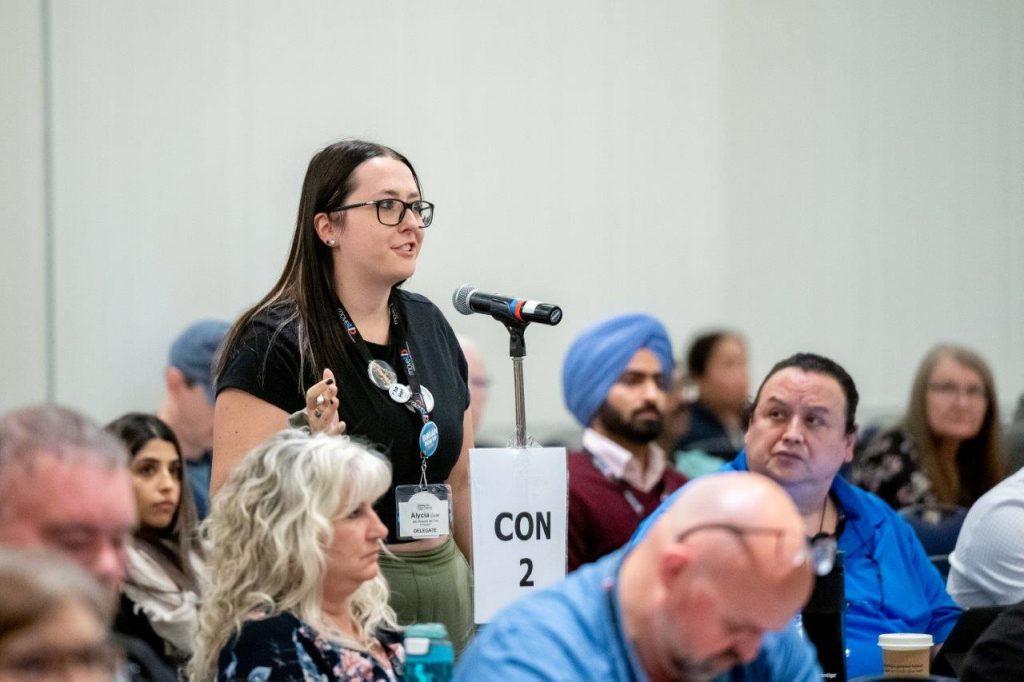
(58, 432)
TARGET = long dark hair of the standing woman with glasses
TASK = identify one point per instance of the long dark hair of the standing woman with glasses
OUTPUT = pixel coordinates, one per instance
(306, 290)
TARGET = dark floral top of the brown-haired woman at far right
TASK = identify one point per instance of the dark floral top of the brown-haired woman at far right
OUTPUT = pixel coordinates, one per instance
(890, 467)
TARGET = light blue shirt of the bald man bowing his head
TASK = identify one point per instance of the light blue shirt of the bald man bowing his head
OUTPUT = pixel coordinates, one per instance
(574, 631)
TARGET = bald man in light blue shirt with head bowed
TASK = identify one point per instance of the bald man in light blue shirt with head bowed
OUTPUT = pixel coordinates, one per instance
(706, 595)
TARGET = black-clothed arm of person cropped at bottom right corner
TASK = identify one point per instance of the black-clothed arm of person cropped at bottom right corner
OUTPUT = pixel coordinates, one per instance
(999, 654)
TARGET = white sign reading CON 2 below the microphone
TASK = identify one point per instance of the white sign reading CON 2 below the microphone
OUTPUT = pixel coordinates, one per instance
(521, 524)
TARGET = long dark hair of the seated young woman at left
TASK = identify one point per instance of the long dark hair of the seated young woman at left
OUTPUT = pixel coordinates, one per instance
(170, 546)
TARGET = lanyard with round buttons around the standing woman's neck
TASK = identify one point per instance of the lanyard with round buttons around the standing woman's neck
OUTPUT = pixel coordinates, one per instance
(383, 376)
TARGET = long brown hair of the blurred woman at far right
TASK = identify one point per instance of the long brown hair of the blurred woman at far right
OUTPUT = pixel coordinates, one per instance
(979, 460)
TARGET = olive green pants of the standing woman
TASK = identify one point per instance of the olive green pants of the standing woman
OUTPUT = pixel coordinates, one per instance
(433, 586)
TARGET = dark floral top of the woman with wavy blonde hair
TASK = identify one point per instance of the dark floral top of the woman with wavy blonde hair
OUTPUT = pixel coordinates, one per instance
(282, 649)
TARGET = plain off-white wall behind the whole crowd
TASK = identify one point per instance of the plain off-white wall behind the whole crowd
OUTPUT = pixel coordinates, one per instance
(830, 177)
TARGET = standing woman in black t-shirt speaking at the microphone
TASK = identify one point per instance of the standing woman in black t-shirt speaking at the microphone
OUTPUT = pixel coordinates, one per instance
(339, 342)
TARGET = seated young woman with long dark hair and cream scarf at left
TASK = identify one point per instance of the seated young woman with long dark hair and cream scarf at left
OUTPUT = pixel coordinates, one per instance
(160, 598)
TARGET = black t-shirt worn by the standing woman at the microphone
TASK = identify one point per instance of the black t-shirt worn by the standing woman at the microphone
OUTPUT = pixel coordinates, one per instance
(266, 363)
